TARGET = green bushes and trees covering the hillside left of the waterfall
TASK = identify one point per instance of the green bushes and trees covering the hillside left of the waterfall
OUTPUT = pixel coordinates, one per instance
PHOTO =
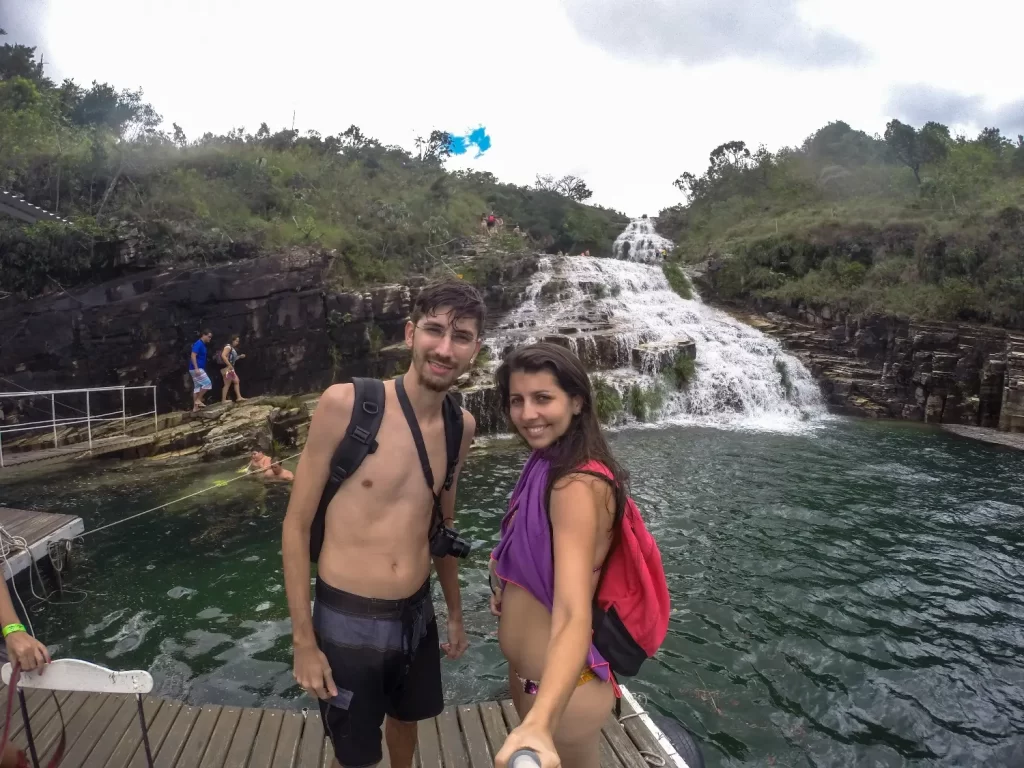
(102, 158)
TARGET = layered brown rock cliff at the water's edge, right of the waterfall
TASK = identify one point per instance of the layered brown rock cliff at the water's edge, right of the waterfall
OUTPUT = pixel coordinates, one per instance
(885, 366)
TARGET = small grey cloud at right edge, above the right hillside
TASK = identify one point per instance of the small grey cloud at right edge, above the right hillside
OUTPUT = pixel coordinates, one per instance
(921, 103)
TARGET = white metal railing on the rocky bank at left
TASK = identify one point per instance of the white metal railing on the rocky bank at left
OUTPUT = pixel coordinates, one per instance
(84, 417)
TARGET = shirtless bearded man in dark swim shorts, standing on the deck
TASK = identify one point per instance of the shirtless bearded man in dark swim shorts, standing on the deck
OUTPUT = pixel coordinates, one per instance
(371, 650)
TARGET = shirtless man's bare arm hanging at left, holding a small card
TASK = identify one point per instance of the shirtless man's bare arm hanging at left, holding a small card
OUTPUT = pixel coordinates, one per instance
(330, 420)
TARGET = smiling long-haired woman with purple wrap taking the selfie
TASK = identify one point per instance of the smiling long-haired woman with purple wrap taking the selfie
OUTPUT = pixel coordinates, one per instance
(545, 574)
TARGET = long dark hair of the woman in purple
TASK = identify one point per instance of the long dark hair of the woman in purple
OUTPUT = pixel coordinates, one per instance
(583, 441)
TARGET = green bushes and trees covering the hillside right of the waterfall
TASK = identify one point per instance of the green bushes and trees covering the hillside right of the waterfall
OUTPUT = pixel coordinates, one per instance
(916, 222)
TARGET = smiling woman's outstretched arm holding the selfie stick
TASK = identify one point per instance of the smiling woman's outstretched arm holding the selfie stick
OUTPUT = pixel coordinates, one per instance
(576, 520)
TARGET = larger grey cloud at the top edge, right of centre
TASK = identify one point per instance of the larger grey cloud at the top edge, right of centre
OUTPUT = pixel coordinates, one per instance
(707, 31)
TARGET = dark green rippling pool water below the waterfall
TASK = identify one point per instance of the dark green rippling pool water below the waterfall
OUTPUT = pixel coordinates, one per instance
(846, 594)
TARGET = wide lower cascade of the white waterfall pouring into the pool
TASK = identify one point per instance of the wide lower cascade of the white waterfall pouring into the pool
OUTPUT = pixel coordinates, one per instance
(605, 309)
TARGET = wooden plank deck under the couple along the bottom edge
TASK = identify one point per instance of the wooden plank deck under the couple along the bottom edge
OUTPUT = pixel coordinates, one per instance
(104, 732)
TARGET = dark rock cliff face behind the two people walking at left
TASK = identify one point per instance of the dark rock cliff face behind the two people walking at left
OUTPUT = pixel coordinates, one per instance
(298, 335)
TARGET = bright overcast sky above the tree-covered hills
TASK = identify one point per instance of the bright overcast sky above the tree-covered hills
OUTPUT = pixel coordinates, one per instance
(626, 94)
